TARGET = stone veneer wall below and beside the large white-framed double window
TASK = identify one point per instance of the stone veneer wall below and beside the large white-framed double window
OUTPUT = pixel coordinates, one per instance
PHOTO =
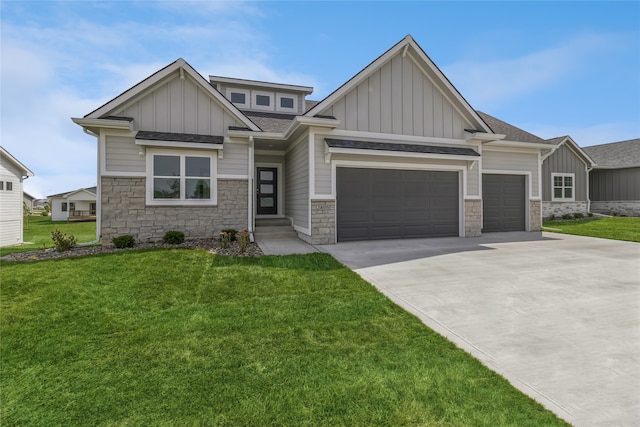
(124, 212)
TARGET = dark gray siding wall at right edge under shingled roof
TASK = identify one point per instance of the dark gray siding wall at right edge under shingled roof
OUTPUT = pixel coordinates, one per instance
(615, 184)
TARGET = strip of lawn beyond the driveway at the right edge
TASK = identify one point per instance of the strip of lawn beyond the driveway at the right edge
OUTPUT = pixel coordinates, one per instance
(616, 228)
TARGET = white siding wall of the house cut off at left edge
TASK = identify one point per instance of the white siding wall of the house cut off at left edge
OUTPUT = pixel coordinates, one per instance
(10, 205)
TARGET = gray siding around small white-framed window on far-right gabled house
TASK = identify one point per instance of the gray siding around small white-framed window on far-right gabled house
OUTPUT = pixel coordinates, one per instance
(564, 160)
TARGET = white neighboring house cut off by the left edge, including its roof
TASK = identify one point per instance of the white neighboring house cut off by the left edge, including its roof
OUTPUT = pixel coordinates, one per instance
(12, 174)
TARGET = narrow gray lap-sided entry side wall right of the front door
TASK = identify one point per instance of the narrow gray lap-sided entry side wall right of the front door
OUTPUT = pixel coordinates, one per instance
(296, 184)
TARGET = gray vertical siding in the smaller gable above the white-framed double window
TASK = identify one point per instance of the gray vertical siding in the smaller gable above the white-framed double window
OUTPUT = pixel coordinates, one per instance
(179, 106)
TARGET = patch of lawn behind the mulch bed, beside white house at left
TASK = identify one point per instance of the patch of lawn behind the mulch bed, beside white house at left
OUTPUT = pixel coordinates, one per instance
(37, 233)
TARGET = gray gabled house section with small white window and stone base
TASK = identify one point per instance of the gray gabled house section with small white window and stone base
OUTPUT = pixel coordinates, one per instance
(565, 179)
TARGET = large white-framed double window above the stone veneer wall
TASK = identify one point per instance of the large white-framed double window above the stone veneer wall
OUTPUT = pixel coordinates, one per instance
(185, 179)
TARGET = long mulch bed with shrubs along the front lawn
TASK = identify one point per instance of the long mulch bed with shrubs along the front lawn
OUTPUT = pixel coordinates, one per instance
(212, 245)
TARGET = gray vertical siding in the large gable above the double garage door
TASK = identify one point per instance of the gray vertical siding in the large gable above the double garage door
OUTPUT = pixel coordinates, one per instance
(398, 98)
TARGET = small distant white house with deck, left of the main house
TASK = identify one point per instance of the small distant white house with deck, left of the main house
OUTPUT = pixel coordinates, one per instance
(78, 205)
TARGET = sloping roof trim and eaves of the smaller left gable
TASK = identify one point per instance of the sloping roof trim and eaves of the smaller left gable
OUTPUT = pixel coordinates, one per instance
(181, 66)
